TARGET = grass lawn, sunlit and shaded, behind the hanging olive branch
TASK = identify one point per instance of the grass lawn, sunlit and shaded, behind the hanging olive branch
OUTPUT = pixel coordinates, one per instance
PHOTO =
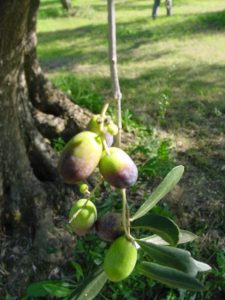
(172, 75)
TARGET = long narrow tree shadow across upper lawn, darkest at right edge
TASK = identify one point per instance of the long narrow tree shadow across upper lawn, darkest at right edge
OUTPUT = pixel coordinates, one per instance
(174, 28)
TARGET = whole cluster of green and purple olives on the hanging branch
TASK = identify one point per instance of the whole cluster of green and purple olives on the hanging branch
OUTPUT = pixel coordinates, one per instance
(81, 156)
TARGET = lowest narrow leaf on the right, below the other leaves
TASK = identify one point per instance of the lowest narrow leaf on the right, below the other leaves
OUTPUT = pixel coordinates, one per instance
(171, 277)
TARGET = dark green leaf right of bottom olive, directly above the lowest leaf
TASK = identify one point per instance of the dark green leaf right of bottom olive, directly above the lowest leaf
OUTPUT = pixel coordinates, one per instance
(171, 257)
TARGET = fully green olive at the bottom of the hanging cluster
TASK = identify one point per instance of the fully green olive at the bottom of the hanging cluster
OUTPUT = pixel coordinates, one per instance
(120, 259)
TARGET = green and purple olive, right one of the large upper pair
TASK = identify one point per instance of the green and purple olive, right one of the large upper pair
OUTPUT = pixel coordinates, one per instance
(118, 168)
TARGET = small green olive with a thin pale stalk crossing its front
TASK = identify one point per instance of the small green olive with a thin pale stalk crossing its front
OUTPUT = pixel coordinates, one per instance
(85, 219)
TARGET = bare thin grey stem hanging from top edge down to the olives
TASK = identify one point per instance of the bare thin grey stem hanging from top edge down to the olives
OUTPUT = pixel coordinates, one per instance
(113, 65)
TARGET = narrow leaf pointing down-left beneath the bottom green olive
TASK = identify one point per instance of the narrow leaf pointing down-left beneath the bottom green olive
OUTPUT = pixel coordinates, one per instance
(90, 287)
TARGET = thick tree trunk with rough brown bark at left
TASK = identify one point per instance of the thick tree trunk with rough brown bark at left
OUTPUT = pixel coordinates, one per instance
(33, 239)
